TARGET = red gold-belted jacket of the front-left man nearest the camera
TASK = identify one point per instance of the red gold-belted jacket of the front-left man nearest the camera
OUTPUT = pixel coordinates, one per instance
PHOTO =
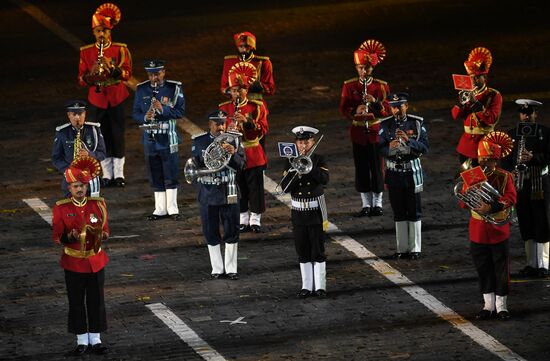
(67, 216)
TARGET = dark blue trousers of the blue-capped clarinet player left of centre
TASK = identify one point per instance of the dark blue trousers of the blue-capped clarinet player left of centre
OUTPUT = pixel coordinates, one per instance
(163, 170)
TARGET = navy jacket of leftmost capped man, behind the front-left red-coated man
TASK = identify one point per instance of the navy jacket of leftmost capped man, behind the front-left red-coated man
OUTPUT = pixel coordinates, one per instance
(63, 145)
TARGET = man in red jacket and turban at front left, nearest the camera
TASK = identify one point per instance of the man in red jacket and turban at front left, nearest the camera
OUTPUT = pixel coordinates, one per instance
(80, 225)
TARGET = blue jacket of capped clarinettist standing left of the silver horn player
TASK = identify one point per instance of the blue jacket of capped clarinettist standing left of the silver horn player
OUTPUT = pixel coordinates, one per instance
(170, 94)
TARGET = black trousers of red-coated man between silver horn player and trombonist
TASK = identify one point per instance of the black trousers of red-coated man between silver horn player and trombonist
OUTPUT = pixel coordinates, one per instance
(251, 184)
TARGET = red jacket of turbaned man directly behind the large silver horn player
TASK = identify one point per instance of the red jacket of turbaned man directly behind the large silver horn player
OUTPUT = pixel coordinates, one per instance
(255, 110)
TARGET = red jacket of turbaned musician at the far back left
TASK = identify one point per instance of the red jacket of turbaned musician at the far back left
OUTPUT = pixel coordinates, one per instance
(113, 91)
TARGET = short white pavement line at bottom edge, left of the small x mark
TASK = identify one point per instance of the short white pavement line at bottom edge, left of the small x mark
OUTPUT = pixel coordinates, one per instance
(184, 332)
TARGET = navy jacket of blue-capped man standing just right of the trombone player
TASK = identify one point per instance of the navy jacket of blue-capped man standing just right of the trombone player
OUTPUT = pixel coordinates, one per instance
(399, 168)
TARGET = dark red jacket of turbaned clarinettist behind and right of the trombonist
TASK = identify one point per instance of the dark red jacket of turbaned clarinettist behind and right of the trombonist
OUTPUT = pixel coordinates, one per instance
(352, 97)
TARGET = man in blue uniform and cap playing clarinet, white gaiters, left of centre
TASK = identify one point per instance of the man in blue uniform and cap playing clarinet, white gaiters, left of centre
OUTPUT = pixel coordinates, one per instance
(157, 105)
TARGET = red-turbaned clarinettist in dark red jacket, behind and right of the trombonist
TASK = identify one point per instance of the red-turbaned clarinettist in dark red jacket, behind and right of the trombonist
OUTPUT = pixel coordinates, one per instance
(363, 101)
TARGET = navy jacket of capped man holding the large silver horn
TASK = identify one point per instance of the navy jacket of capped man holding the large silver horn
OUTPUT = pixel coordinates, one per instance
(214, 188)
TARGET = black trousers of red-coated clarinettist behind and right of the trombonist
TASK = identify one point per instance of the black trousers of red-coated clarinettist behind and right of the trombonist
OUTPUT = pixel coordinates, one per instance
(368, 168)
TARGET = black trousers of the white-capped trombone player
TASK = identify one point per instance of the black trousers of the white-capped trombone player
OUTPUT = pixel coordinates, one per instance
(309, 242)
